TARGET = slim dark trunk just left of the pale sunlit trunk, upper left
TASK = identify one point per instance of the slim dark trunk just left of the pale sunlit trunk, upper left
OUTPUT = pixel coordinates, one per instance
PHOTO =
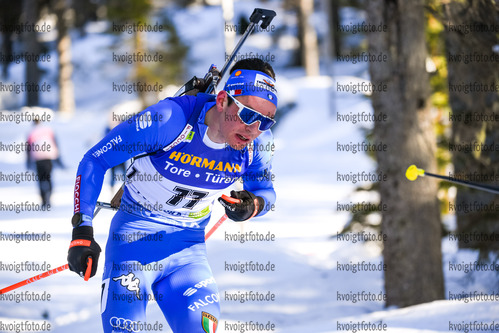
(30, 8)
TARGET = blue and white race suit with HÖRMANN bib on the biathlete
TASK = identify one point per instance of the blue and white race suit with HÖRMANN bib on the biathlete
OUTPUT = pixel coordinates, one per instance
(155, 248)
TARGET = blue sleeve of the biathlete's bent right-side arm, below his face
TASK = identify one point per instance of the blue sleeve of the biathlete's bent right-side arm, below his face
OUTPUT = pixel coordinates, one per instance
(258, 179)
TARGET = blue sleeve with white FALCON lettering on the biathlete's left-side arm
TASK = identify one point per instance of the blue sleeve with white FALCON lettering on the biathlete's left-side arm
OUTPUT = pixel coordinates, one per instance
(155, 127)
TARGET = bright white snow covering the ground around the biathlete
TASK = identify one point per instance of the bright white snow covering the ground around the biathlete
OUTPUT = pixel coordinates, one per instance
(306, 288)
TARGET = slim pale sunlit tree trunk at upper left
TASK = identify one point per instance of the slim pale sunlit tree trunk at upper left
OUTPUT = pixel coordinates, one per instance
(66, 89)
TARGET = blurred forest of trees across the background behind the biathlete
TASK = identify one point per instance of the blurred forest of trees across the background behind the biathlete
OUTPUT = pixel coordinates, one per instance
(421, 48)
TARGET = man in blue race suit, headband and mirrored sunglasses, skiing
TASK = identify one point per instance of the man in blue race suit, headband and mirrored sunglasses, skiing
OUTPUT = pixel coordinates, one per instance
(196, 147)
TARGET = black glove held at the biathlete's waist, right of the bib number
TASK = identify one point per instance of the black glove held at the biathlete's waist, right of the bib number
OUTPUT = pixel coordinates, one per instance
(249, 206)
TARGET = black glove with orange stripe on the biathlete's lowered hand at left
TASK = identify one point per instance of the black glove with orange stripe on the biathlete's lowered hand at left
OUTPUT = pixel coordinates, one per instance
(83, 246)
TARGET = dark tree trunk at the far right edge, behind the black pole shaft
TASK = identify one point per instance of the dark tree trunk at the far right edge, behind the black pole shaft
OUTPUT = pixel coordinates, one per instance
(468, 126)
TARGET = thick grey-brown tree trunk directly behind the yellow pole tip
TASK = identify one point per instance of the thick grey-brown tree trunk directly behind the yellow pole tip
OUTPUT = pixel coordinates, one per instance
(411, 222)
